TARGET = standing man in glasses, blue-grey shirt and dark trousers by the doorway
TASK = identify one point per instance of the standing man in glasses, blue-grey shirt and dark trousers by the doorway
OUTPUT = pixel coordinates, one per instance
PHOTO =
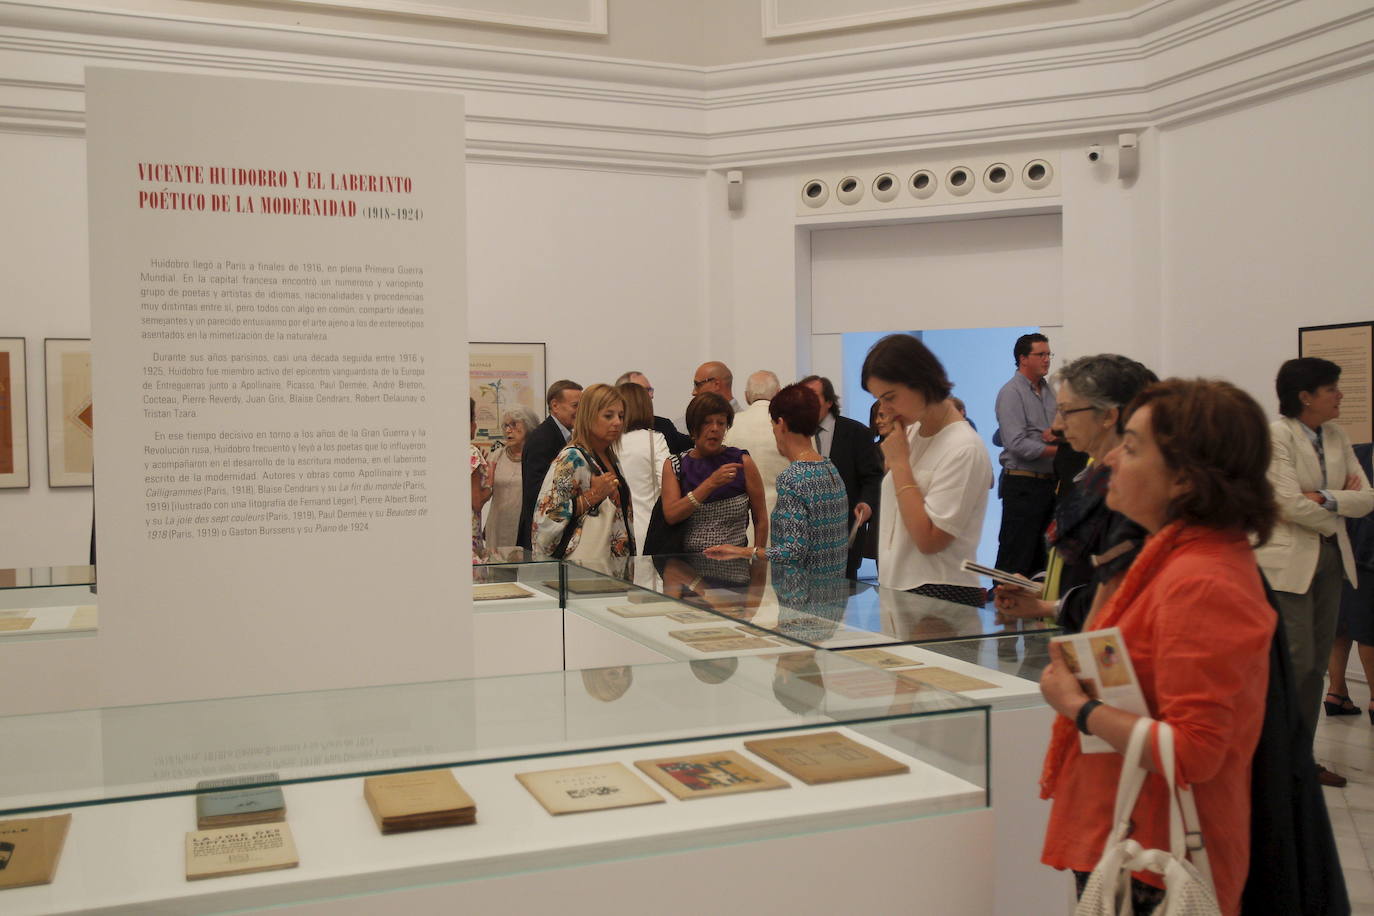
(1026, 417)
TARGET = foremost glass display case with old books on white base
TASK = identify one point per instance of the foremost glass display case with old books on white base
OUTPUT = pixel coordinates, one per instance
(130, 777)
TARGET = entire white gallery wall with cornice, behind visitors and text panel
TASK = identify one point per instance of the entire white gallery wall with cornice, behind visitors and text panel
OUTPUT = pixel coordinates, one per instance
(597, 192)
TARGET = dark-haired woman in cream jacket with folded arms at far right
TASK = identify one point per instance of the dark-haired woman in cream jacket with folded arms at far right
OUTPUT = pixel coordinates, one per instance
(1318, 484)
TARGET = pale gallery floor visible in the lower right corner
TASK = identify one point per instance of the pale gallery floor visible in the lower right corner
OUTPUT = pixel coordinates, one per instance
(1346, 745)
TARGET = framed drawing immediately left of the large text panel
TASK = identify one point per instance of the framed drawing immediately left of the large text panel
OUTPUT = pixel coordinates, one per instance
(71, 422)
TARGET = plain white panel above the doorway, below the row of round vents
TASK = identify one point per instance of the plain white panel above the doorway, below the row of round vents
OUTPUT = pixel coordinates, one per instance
(990, 273)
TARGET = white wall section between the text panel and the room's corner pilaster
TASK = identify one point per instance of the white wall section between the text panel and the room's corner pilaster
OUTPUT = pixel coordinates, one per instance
(605, 267)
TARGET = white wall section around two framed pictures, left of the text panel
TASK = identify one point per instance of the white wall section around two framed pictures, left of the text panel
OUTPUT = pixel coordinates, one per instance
(46, 296)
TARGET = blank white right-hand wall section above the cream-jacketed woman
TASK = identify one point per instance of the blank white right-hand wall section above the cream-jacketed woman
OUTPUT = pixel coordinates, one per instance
(1268, 215)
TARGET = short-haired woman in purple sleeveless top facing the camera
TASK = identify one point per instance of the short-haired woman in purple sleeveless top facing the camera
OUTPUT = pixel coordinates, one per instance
(711, 488)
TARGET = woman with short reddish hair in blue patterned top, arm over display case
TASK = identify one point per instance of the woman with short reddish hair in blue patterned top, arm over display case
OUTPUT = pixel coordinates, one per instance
(809, 528)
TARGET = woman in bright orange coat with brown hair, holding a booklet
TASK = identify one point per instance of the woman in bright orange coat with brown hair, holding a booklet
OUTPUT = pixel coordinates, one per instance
(1192, 470)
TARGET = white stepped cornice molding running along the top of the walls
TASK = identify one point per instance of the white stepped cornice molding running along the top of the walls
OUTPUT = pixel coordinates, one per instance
(570, 111)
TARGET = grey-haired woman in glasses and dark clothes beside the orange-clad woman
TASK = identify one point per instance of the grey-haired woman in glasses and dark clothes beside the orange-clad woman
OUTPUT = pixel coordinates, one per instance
(1096, 543)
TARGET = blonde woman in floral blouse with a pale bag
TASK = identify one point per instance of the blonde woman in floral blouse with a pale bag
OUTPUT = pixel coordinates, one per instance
(585, 509)
